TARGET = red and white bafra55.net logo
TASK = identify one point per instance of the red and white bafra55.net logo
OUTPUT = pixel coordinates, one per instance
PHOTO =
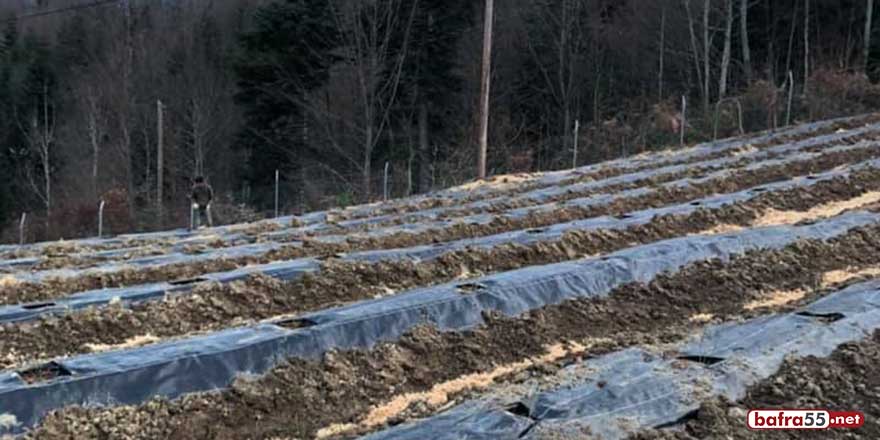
(803, 419)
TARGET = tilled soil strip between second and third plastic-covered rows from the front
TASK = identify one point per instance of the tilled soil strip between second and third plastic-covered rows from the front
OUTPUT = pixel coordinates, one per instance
(216, 306)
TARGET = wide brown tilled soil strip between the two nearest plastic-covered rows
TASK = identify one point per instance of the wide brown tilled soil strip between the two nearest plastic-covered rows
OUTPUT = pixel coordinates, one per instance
(299, 397)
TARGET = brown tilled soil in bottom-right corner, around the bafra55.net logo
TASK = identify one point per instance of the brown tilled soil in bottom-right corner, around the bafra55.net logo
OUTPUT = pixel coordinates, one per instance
(845, 381)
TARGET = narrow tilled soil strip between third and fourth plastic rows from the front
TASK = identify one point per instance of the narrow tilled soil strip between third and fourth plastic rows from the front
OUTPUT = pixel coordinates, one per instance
(11, 293)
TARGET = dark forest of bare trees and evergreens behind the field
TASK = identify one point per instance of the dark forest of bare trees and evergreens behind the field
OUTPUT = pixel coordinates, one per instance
(327, 92)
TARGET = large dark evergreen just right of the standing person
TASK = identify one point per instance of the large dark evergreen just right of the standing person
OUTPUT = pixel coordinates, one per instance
(286, 54)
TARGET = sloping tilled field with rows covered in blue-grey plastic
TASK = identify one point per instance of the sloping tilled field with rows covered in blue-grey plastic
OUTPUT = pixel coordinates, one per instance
(660, 296)
